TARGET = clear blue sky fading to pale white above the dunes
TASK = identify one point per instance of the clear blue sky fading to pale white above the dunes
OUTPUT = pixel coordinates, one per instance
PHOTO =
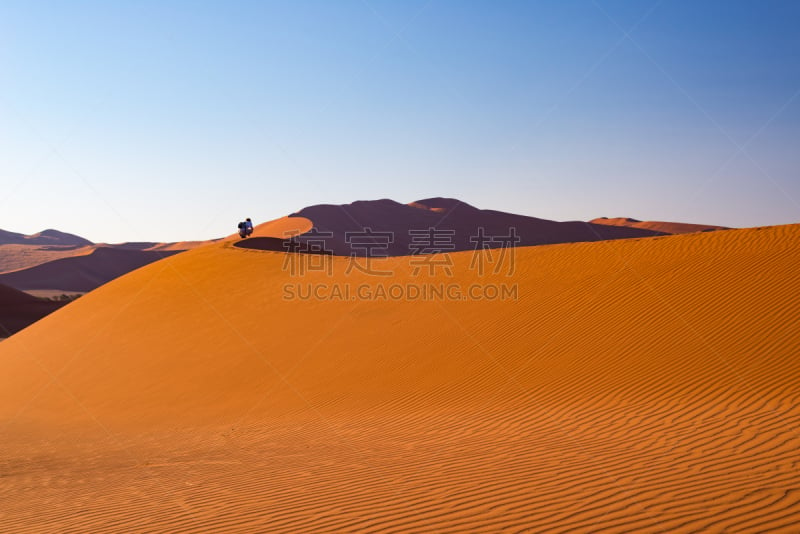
(169, 120)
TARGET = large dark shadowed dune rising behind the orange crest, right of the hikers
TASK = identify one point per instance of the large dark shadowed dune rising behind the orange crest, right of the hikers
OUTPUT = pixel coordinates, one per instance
(388, 228)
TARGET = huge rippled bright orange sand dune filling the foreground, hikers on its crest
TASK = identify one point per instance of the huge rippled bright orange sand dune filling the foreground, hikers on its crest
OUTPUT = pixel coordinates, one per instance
(646, 385)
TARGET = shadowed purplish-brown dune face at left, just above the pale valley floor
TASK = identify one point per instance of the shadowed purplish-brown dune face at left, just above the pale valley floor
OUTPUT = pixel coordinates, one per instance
(82, 273)
